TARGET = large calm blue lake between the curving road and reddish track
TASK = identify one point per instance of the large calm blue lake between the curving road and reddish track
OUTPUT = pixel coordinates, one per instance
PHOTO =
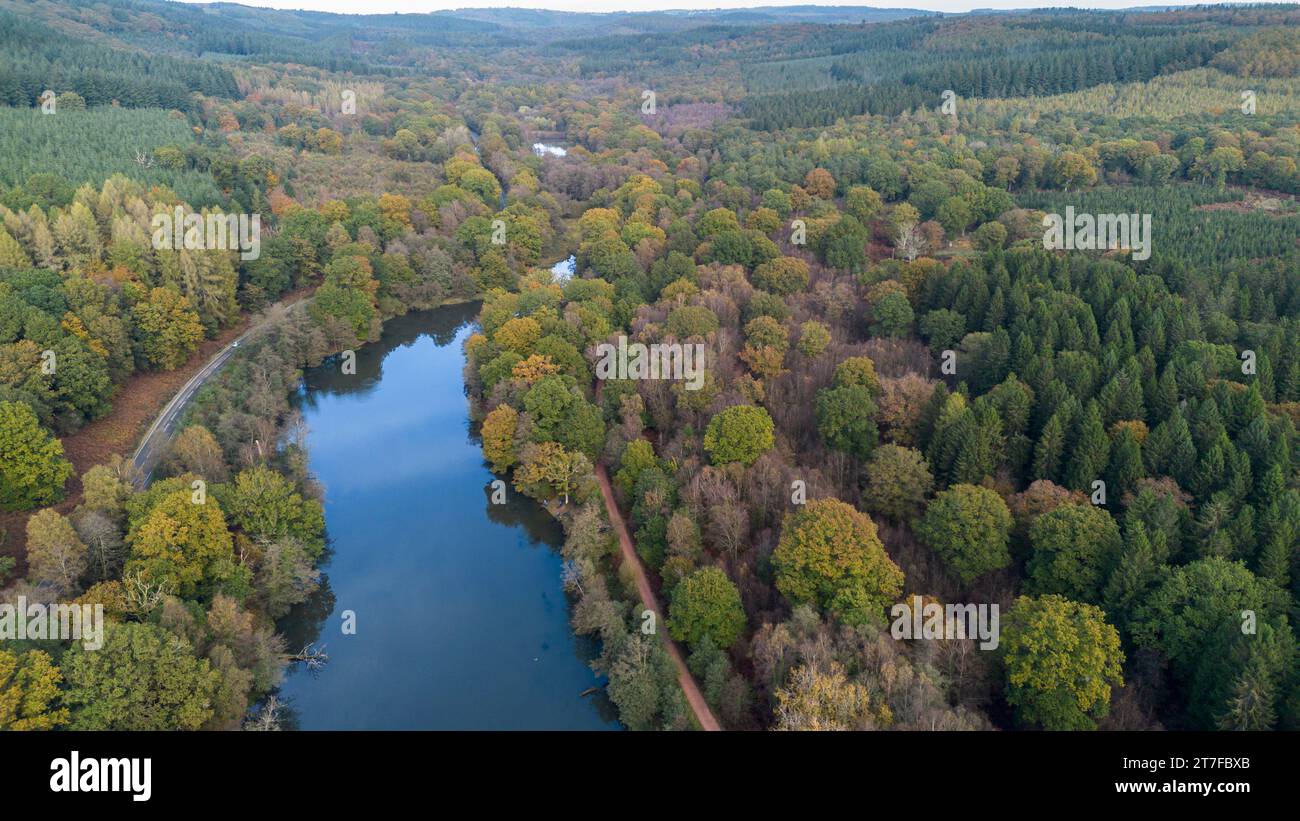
(462, 622)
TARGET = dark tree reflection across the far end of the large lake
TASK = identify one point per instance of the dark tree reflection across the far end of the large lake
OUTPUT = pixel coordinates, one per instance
(441, 325)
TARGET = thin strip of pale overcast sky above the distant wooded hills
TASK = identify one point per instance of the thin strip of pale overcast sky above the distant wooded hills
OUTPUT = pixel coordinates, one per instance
(374, 7)
